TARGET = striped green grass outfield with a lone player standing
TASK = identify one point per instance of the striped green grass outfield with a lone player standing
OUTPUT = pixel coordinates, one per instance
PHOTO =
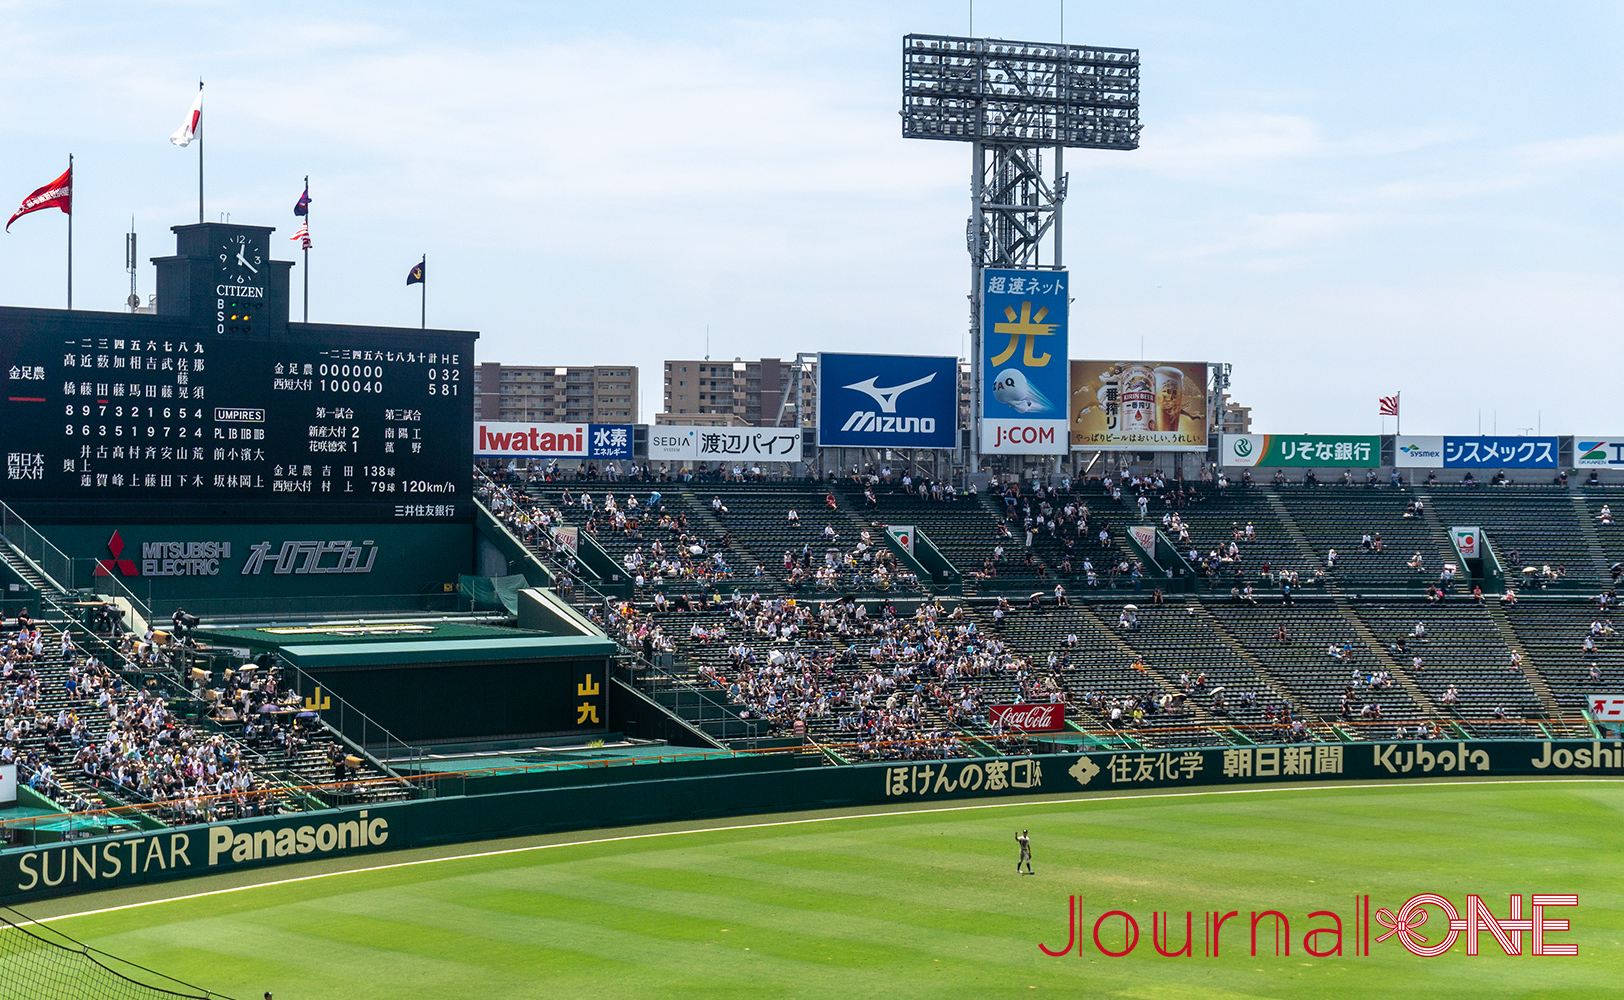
(920, 903)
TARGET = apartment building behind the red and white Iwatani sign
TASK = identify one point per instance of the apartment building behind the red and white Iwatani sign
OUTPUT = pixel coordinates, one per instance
(558, 395)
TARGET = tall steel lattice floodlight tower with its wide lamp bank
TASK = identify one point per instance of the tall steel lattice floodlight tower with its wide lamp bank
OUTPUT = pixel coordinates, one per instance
(1011, 101)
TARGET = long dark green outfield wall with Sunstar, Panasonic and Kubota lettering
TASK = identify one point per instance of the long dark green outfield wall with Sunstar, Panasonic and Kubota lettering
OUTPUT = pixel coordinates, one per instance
(694, 793)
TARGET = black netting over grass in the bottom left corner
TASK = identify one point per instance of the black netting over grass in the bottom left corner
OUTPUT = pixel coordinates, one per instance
(41, 963)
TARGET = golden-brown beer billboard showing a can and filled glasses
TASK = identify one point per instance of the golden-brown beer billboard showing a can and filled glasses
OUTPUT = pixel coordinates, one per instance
(1139, 405)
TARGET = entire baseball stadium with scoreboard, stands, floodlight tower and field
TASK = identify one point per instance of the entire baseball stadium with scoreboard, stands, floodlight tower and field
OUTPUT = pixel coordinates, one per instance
(1016, 670)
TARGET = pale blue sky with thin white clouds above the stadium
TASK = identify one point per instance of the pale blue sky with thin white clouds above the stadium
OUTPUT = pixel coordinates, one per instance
(1341, 200)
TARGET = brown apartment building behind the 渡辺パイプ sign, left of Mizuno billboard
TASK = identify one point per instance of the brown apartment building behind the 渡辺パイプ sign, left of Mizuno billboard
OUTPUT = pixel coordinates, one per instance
(736, 394)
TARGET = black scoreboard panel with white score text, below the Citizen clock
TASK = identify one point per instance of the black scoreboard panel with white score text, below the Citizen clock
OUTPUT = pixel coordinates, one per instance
(127, 416)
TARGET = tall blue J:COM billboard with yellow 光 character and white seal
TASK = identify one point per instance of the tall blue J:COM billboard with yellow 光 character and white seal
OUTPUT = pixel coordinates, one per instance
(1024, 363)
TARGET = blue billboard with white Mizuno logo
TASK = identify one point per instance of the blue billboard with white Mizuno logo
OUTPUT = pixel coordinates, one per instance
(888, 402)
